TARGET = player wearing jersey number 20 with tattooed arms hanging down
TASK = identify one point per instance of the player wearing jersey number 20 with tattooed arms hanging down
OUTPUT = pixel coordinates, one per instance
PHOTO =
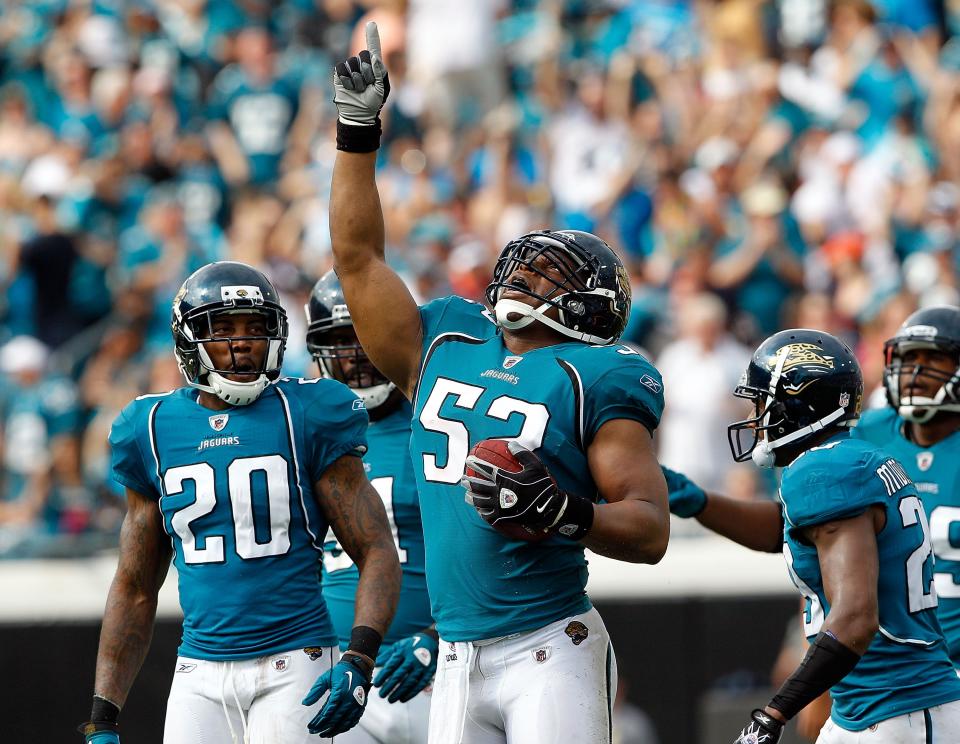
(236, 477)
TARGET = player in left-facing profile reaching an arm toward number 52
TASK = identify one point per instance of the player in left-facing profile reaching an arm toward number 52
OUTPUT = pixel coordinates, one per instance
(855, 538)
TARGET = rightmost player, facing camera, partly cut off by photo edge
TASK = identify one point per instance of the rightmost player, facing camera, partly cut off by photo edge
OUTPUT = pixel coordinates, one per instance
(920, 428)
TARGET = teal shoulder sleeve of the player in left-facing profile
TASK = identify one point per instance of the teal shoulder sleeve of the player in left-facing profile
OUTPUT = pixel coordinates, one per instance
(829, 484)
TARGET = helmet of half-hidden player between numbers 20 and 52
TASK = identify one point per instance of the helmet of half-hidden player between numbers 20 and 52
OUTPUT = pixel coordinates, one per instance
(341, 358)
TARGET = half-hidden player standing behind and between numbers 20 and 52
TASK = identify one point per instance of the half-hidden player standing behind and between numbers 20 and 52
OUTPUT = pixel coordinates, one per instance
(408, 659)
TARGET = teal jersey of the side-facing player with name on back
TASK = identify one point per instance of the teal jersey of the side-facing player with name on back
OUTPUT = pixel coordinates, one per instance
(906, 667)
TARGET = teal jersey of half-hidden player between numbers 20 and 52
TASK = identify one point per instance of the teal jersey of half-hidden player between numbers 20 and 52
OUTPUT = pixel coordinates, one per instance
(390, 471)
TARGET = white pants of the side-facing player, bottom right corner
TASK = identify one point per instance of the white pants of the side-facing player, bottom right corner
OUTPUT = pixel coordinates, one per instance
(937, 725)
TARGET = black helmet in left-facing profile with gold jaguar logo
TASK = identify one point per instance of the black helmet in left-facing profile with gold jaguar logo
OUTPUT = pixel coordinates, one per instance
(801, 382)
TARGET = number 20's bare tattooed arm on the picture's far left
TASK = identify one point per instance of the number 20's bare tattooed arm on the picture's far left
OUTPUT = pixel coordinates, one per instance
(127, 628)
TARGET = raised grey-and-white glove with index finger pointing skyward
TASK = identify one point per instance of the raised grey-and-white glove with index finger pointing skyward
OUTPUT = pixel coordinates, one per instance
(361, 85)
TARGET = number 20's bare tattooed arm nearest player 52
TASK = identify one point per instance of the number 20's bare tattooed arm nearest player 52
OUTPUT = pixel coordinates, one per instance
(356, 514)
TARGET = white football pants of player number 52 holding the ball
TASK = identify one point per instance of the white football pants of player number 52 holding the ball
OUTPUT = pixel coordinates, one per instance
(551, 685)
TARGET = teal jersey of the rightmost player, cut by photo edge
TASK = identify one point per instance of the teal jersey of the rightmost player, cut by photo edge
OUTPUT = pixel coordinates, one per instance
(936, 472)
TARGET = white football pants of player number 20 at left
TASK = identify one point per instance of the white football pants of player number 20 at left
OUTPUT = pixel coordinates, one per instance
(251, 701)
